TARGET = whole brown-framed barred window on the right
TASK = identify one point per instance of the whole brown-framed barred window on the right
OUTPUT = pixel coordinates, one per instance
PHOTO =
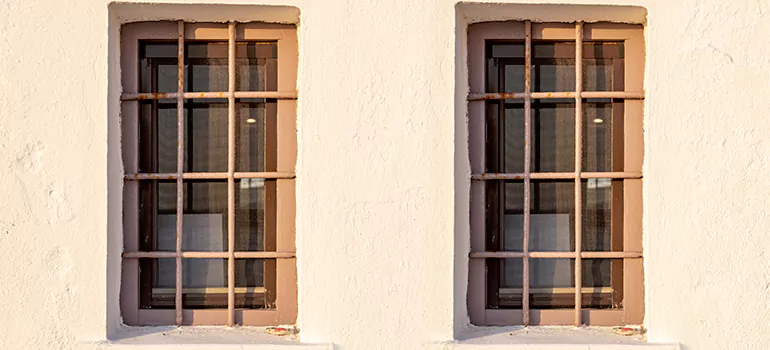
(556, 160)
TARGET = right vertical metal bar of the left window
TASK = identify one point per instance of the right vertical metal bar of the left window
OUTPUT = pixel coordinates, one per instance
(230, 173)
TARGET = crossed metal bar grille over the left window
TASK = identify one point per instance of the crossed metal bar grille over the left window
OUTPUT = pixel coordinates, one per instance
(180, 176)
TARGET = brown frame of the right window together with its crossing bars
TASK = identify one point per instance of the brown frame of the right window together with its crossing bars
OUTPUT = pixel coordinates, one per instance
(632, 93)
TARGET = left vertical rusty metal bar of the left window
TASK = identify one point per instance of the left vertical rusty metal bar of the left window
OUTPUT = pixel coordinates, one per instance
(179, 169)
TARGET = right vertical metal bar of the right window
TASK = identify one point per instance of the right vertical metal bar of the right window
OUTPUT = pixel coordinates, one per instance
(578, 170)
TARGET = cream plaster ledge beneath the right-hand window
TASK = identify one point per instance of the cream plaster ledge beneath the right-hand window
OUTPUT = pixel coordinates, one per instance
(549, 338)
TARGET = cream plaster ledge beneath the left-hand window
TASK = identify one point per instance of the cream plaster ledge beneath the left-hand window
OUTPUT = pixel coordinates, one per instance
(195, 338)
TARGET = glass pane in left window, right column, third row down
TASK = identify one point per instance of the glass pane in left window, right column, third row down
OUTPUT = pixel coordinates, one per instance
(255, 199)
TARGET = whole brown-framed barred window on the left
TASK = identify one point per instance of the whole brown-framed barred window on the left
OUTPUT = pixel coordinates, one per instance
(209, 148)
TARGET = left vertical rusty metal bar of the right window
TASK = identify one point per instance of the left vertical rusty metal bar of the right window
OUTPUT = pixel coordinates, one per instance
(527, 162)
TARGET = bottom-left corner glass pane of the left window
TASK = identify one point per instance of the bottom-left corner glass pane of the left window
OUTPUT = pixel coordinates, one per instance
(157, 283)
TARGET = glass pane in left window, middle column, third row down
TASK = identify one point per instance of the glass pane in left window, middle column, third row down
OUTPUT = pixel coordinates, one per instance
(205, 216)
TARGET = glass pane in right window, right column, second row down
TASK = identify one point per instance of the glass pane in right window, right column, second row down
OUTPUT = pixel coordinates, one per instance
(598, 146)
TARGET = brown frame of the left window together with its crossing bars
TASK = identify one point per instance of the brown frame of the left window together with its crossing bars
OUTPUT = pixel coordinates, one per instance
(281, 251)
